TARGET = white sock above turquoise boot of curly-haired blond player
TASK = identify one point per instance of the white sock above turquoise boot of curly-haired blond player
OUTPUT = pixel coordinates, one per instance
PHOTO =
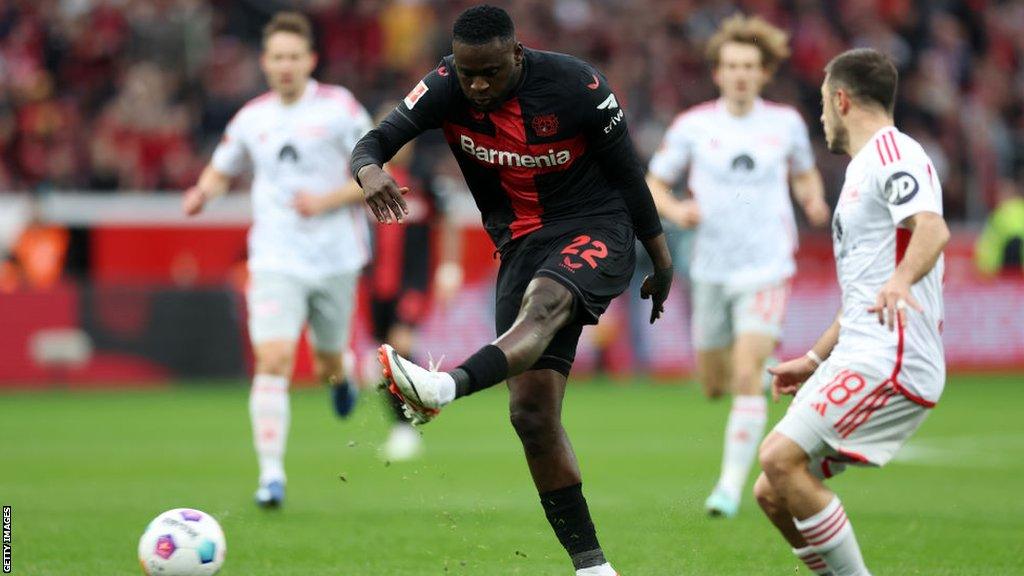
(743, 436)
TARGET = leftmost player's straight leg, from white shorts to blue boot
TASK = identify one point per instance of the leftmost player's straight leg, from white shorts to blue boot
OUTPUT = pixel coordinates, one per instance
(277, 311)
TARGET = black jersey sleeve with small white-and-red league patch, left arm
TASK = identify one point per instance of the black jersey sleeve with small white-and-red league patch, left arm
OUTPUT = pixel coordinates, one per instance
(421, 110)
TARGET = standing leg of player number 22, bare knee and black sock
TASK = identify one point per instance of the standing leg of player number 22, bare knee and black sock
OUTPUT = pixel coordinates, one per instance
(535, 408)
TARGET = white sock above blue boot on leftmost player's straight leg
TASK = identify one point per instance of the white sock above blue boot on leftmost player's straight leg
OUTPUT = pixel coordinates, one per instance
(271, 416)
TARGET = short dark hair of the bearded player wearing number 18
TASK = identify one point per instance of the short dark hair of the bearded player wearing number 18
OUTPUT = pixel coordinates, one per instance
(868, 75)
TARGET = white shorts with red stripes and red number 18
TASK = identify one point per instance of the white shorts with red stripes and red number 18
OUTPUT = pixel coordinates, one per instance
(855, 414)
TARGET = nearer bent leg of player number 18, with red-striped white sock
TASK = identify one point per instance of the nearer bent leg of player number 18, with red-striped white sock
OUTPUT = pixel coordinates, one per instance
(818, 513)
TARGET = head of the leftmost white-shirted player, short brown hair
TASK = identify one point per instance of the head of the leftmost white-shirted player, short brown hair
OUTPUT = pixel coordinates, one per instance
(288, 58)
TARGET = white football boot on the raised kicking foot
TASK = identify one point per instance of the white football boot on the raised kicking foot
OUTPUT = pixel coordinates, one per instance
(423, 393)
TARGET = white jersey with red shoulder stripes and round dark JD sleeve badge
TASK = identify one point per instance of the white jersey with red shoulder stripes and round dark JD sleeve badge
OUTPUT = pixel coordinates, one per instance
(888, 181)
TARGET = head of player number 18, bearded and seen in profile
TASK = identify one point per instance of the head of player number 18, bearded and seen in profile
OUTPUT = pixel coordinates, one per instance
(857, 83)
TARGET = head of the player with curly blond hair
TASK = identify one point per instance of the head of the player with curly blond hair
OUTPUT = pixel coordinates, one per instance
(744, 55)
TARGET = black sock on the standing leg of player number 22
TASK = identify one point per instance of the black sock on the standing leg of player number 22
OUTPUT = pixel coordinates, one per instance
(567, 511)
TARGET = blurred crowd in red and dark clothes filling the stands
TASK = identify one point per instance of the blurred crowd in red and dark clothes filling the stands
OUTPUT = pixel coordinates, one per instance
(133, 95)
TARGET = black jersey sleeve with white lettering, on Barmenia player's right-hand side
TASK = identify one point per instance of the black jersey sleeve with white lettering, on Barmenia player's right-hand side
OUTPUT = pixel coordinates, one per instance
(610, 139)
